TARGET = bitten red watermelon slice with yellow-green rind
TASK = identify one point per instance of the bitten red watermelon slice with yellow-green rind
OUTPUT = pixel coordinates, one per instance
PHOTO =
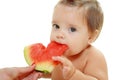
(41, 56)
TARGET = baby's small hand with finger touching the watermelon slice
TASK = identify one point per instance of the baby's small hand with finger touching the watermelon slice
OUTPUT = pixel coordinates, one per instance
(67, 66)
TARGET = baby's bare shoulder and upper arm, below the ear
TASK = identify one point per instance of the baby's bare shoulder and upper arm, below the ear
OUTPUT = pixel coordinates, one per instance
(96, 64)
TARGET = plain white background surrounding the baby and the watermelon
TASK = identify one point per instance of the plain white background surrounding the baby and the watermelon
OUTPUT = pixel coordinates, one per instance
(23, 22)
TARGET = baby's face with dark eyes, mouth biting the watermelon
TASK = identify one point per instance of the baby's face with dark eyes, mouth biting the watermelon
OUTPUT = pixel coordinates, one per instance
(68, 27)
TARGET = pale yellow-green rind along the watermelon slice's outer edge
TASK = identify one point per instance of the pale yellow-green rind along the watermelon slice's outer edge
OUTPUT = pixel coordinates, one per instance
(45, 67)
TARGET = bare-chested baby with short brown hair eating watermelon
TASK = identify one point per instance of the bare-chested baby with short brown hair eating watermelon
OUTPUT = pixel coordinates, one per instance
(77, 23)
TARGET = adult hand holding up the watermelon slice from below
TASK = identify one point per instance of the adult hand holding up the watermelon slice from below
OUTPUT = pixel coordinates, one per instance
(19, 73)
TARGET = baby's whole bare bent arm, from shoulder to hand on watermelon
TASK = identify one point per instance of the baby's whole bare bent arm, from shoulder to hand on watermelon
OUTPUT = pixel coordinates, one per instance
(95, 69)
